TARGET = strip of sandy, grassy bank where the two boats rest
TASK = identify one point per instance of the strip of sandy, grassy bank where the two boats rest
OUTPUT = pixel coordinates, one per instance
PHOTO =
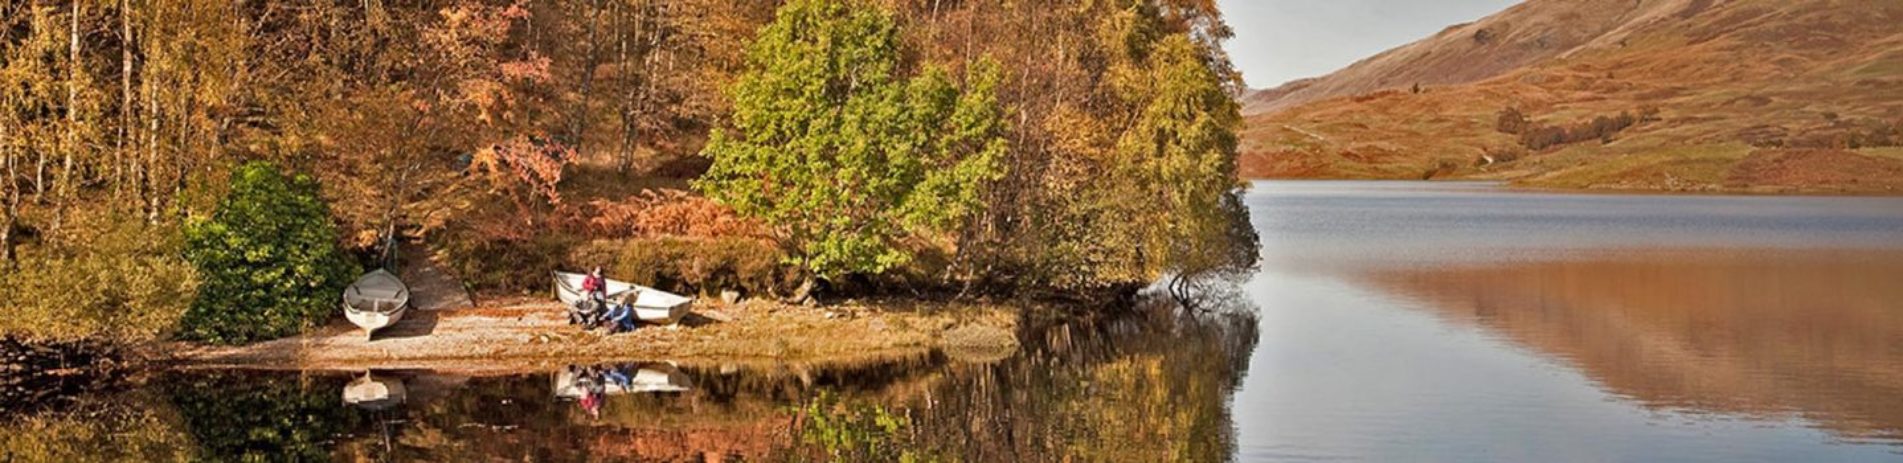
(540, 336)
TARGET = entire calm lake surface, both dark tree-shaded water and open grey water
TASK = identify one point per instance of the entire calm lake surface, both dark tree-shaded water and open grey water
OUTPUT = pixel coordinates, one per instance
(1388, 323)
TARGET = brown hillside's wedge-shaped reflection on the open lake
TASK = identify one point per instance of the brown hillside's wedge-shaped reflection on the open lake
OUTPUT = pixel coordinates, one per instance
(1767, 334)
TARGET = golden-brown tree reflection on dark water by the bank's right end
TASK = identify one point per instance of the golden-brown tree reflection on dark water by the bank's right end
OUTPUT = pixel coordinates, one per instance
(1154, 386)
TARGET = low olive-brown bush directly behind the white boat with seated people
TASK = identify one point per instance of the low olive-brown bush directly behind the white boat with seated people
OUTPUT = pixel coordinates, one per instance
(692, 266)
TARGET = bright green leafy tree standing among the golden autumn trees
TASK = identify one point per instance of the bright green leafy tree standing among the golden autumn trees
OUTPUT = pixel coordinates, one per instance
(842, 155)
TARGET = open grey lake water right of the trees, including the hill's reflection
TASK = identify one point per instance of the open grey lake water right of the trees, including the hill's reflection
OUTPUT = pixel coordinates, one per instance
(1470, 323)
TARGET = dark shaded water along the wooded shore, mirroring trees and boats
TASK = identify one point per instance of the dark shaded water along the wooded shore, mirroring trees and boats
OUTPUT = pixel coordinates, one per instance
(1154, 384)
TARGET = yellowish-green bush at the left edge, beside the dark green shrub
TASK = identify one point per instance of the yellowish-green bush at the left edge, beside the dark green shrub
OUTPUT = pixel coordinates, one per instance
(125, 283)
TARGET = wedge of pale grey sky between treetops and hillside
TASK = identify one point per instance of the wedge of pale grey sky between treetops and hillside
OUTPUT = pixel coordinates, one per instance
(1280, 41)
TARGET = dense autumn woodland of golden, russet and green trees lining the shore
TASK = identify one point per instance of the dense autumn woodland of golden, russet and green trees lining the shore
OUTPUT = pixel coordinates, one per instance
(1021, 148)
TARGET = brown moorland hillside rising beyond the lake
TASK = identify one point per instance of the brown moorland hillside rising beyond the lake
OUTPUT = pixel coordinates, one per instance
(1769, 96)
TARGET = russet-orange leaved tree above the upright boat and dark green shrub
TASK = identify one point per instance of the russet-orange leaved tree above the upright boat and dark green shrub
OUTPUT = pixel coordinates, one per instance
(433, 115)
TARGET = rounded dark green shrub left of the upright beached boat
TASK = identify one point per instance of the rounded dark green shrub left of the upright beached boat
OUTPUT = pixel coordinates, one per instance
(269, 260)
